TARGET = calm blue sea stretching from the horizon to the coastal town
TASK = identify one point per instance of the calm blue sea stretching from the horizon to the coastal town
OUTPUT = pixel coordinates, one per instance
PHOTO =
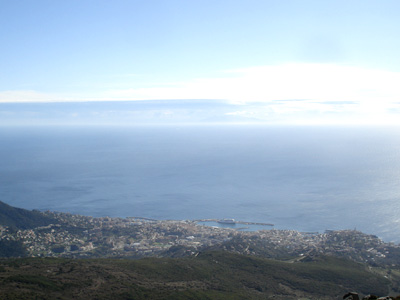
(303, 178)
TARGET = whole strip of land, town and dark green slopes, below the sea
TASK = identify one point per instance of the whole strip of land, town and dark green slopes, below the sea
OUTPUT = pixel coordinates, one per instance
(183, 260)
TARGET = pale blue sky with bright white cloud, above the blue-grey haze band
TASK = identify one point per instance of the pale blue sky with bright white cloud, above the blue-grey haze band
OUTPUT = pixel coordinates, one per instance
(271, 61)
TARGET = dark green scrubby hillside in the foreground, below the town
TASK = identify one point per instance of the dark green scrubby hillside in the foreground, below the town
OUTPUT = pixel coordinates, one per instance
(210, 275)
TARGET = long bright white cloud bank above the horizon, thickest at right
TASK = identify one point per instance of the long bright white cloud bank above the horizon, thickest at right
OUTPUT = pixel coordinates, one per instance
(363, 95)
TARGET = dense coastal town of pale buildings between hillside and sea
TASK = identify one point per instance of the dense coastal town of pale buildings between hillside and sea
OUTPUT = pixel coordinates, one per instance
(79, 236)
